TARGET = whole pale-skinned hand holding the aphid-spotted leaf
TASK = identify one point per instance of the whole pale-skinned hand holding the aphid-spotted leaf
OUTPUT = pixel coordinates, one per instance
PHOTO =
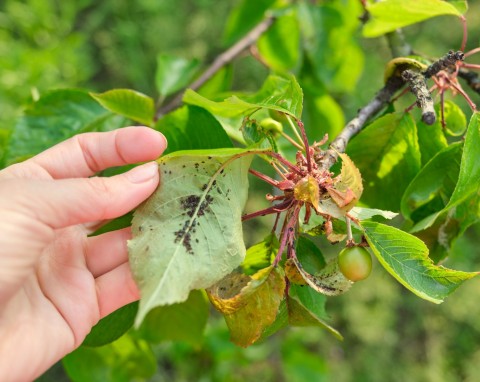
(55, 281)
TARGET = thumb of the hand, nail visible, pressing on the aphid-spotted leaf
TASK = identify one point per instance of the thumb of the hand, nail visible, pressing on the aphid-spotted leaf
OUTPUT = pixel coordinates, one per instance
(65, 202)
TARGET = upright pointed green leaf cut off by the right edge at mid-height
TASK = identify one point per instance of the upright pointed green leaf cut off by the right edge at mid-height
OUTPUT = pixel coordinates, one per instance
(468, 180)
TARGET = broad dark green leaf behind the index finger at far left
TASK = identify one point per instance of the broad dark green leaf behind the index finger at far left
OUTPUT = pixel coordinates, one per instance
(56, 116)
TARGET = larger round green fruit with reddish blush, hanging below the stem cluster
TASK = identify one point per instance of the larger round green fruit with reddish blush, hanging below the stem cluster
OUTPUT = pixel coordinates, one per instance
(355, 263)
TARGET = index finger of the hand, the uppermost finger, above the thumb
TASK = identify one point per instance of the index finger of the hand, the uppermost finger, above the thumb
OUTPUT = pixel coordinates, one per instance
(85, 154)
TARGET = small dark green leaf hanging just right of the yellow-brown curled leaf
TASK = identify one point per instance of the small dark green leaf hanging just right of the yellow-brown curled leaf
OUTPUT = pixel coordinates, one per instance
(307, 308)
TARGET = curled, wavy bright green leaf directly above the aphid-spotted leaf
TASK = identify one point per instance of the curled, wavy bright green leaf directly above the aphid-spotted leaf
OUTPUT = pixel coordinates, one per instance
(277, 93)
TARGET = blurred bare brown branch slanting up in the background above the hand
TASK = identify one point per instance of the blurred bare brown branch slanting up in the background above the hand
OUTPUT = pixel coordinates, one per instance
(223, 59)
